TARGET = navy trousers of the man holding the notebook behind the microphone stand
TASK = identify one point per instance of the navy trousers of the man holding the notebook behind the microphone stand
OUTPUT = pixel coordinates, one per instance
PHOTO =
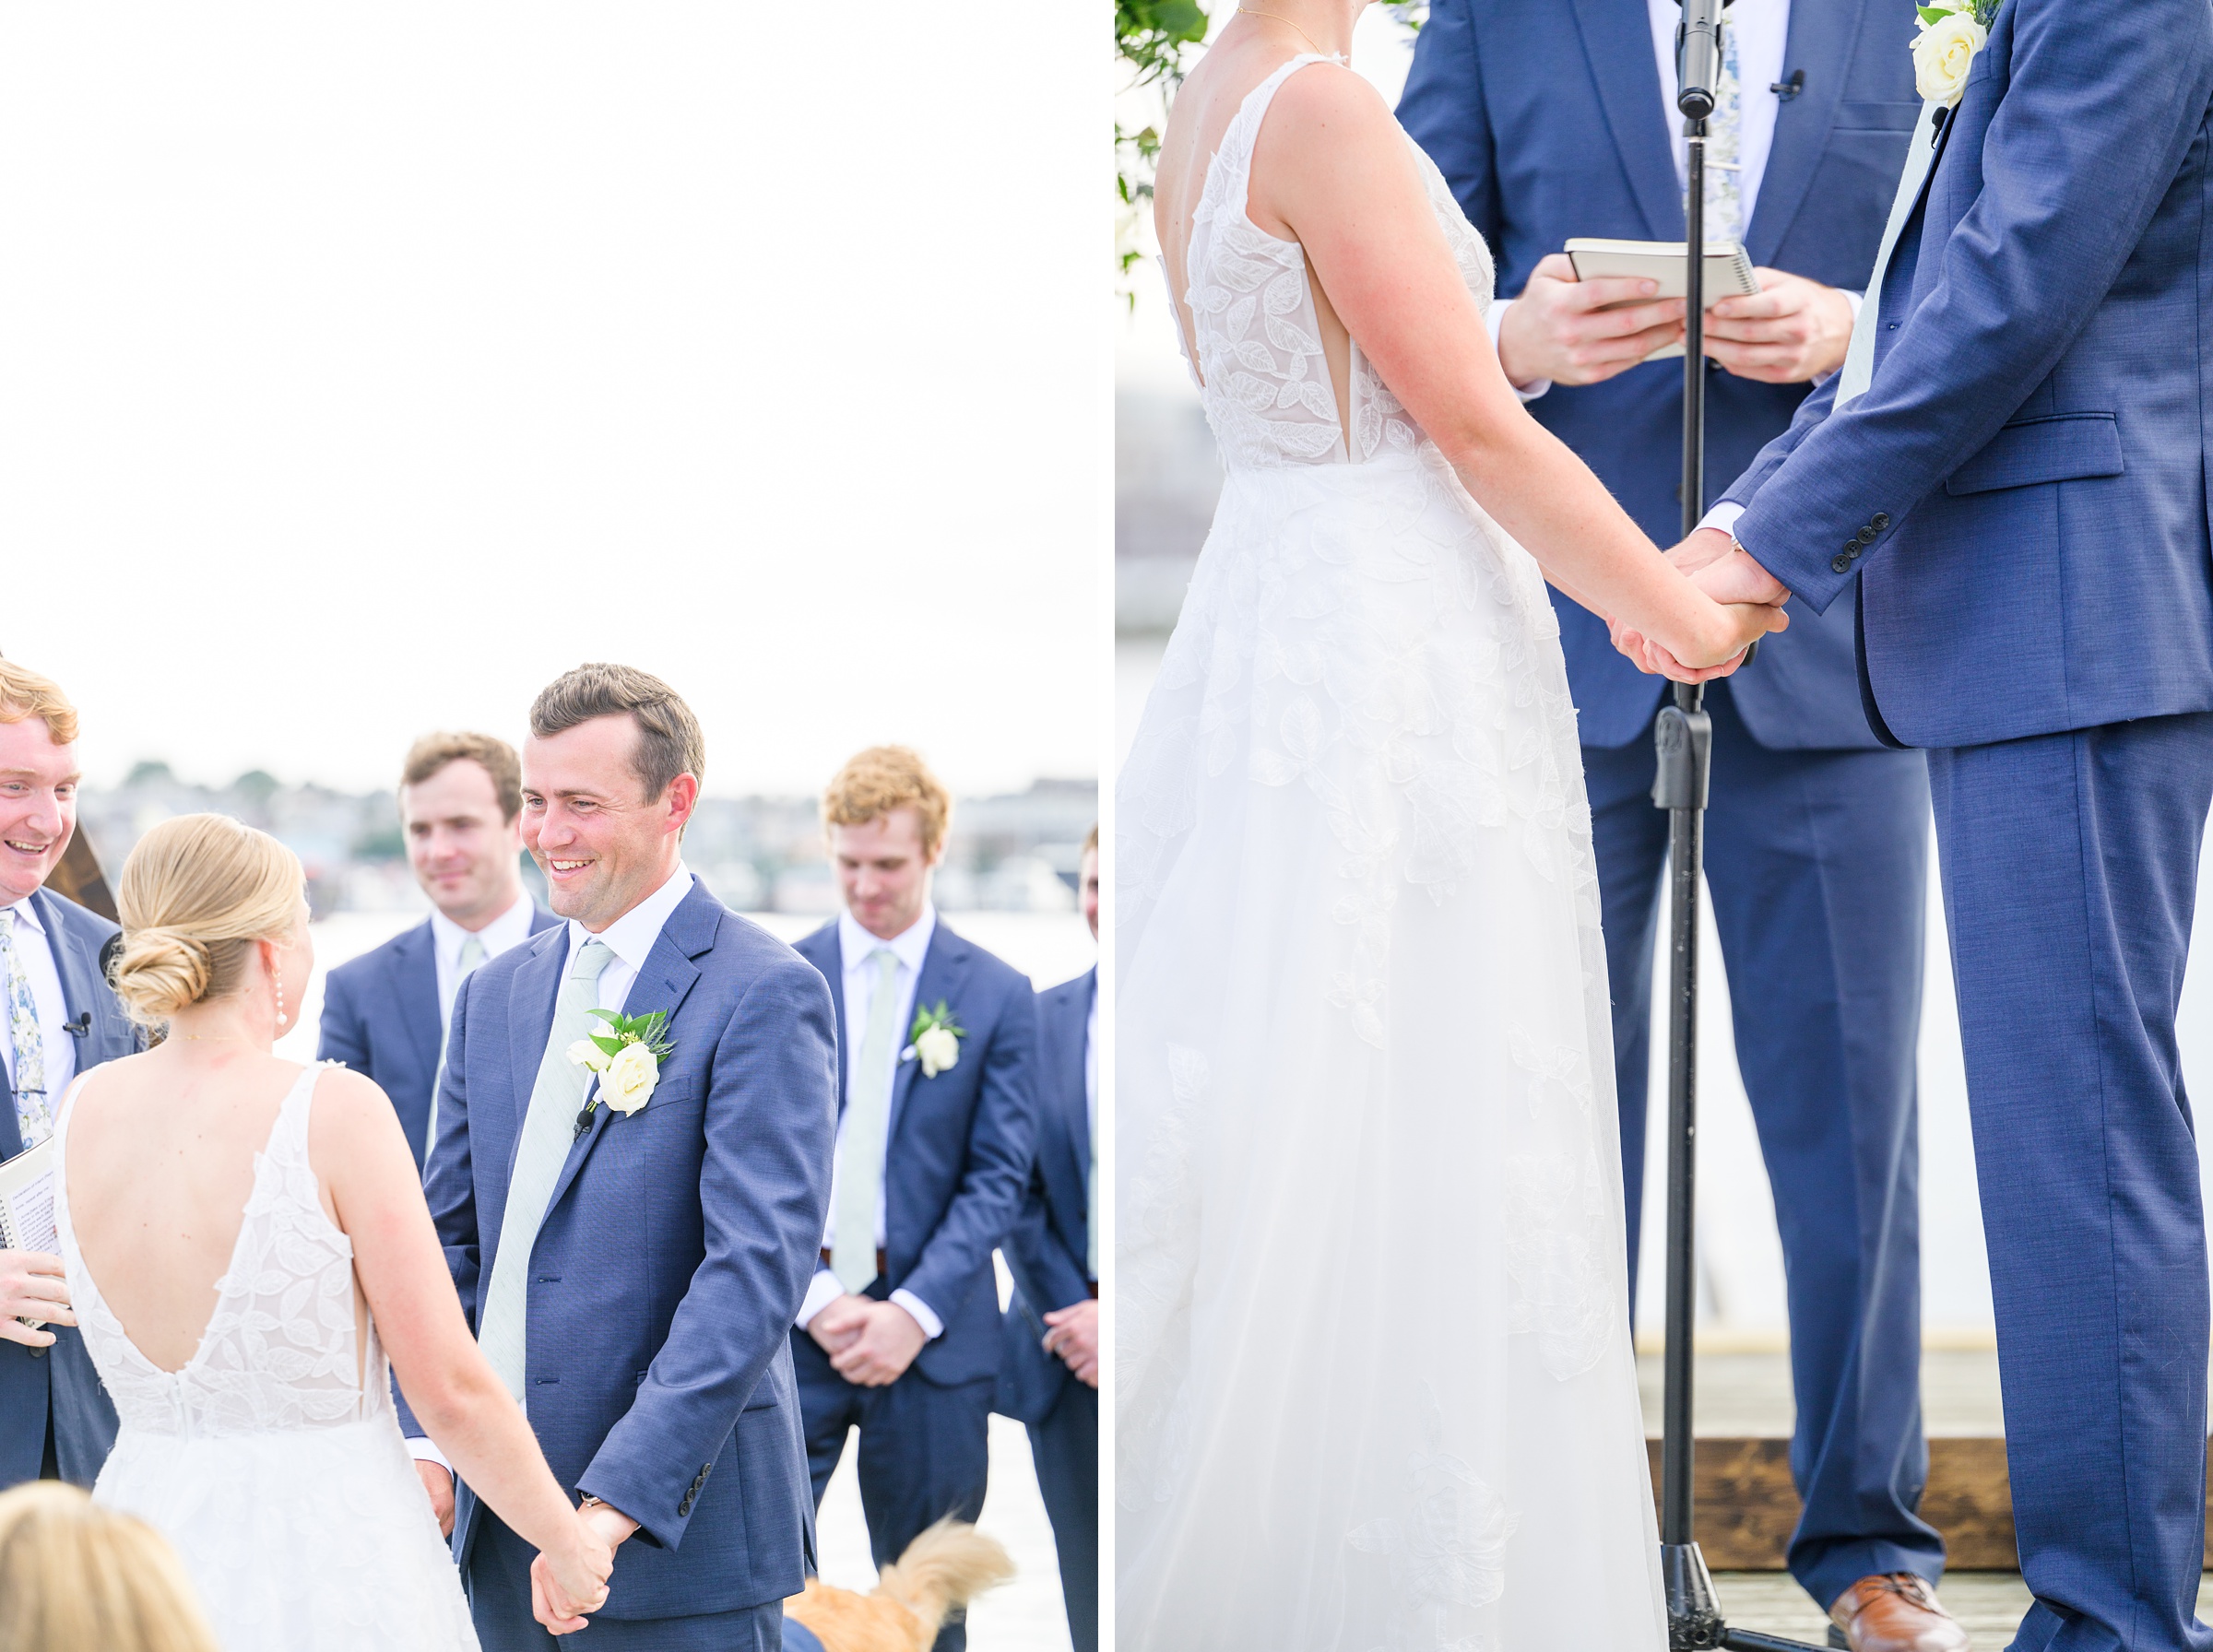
(1818, 864)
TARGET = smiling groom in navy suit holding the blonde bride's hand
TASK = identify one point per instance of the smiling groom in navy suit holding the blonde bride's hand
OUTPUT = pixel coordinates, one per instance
(632, 1257)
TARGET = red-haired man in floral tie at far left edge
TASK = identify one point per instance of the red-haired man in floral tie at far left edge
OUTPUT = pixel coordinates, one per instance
(56, 1421)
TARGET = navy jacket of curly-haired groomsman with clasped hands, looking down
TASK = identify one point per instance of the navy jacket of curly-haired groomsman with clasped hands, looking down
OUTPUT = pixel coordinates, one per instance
(959, 1144)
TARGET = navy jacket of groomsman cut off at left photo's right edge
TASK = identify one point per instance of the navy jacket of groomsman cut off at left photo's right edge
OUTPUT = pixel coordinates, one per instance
(1048, 1251)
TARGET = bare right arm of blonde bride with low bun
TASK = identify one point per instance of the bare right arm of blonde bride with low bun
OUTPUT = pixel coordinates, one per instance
(360, 1153)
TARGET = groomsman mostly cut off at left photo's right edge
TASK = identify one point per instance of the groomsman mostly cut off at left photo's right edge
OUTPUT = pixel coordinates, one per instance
(1050, 1363)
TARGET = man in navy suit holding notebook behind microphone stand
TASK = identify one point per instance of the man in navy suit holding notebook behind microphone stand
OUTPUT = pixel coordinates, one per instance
(1552, 123)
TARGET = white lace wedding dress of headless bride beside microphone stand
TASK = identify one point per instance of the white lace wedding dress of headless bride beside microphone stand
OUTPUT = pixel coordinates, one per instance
(1373, 1337)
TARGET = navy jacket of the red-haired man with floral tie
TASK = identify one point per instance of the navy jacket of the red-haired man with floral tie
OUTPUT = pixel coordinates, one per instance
(61, 1377)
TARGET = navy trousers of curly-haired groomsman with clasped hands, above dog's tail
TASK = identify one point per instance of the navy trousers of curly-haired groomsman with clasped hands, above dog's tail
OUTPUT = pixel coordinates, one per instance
(926, 1452)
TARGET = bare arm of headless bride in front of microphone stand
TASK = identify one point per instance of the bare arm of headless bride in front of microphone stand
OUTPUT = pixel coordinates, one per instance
(1336, 169)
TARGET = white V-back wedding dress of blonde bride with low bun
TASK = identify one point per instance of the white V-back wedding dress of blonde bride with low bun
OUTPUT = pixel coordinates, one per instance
(273, 1461)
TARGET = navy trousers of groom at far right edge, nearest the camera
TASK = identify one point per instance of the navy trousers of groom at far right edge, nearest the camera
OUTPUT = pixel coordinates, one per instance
(2070, 879)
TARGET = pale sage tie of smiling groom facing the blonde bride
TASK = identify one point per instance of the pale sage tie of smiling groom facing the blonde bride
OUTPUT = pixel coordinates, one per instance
(548, 1136)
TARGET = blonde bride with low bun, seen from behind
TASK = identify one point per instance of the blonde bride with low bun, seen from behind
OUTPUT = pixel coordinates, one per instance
(247, 1244)
